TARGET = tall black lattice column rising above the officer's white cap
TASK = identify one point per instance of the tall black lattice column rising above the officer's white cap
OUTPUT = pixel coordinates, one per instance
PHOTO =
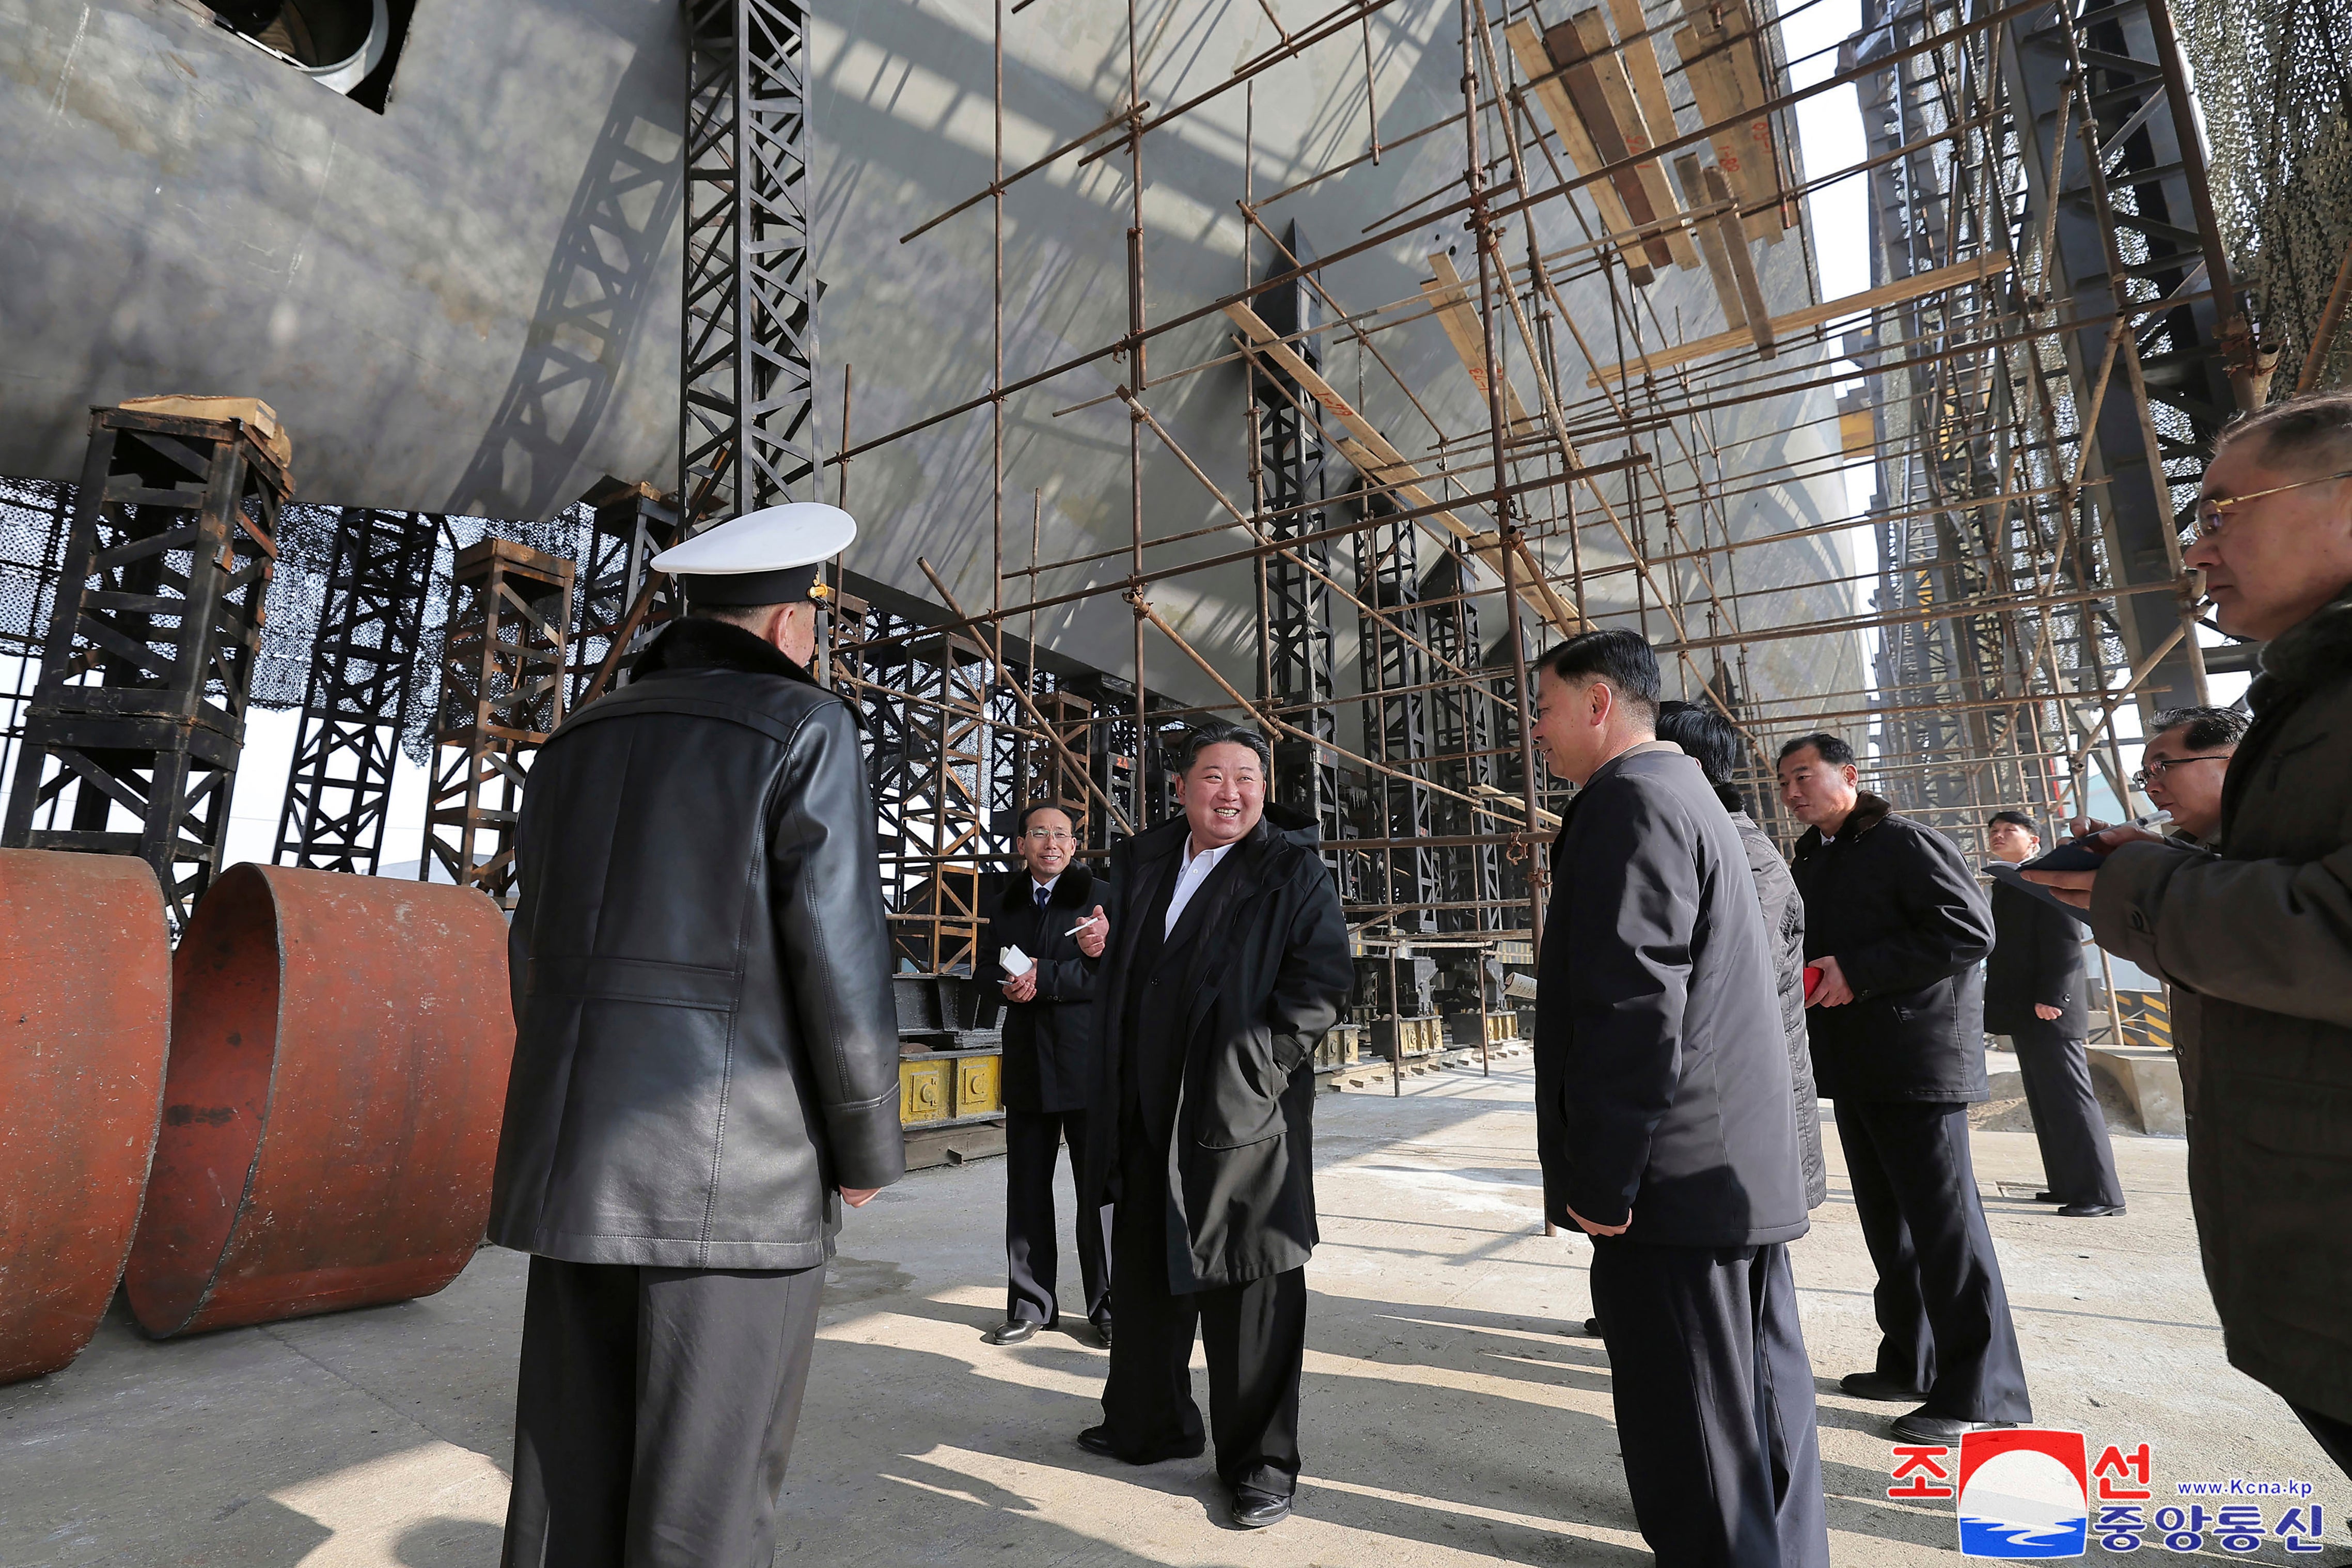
(749, 410)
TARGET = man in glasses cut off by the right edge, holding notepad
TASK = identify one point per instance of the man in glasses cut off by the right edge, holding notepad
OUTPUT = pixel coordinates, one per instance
(2257, 939)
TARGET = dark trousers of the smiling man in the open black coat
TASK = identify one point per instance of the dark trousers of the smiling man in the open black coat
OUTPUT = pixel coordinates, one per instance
(1255, 1334)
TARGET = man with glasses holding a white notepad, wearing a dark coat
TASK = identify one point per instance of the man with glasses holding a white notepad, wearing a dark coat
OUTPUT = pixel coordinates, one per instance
(1045, 909)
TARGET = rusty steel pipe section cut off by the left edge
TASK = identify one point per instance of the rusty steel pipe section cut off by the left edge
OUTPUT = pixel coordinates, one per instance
(86, 1012)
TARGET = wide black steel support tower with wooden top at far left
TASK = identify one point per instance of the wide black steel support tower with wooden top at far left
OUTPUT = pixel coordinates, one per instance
(140, 711)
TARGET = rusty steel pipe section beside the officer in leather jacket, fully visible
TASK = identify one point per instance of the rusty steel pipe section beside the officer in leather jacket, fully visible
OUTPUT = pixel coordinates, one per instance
(340, 1052)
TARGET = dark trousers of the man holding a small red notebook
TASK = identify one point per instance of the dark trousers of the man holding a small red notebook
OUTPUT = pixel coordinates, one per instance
(1944, 1315)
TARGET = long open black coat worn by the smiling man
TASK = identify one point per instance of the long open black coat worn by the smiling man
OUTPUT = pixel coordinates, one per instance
(1267, 979)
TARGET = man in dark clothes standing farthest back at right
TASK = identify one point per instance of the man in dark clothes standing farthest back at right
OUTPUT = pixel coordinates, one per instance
(2036, 998)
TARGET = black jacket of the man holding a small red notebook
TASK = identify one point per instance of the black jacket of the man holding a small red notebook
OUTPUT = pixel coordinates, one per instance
(1899, 909)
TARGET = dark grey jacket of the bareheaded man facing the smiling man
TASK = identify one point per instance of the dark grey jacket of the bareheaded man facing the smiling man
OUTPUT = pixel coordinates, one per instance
(1662, 1066)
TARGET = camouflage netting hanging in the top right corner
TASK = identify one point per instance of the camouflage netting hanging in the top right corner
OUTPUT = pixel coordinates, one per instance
(2276, 86)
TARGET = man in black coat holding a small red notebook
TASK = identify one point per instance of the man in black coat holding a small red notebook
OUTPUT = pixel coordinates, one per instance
(1897, 927)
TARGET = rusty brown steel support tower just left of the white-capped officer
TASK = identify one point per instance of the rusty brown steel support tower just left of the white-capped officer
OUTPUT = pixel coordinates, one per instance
(502, 697)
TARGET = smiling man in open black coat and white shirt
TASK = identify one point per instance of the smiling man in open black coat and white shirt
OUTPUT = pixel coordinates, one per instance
(1229, 965)
